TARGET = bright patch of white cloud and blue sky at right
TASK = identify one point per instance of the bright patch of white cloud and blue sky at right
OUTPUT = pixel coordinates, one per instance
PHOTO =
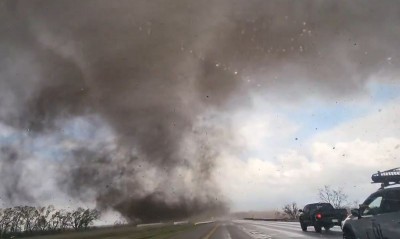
(293, 150)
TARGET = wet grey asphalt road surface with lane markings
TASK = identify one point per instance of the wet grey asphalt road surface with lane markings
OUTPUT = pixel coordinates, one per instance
(246, 229)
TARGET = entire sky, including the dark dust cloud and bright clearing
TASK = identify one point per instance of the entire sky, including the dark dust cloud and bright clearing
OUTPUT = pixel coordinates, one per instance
(158, 110)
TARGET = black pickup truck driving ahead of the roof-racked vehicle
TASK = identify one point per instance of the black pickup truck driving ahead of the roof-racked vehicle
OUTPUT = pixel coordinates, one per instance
(321, 215)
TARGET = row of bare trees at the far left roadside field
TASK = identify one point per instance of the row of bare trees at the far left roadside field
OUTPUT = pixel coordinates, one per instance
(22, 220)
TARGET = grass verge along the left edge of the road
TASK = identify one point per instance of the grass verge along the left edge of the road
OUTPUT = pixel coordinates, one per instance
(125, 232)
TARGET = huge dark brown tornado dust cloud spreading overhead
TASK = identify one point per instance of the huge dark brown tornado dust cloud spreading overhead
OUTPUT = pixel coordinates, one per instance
(152, 70)
